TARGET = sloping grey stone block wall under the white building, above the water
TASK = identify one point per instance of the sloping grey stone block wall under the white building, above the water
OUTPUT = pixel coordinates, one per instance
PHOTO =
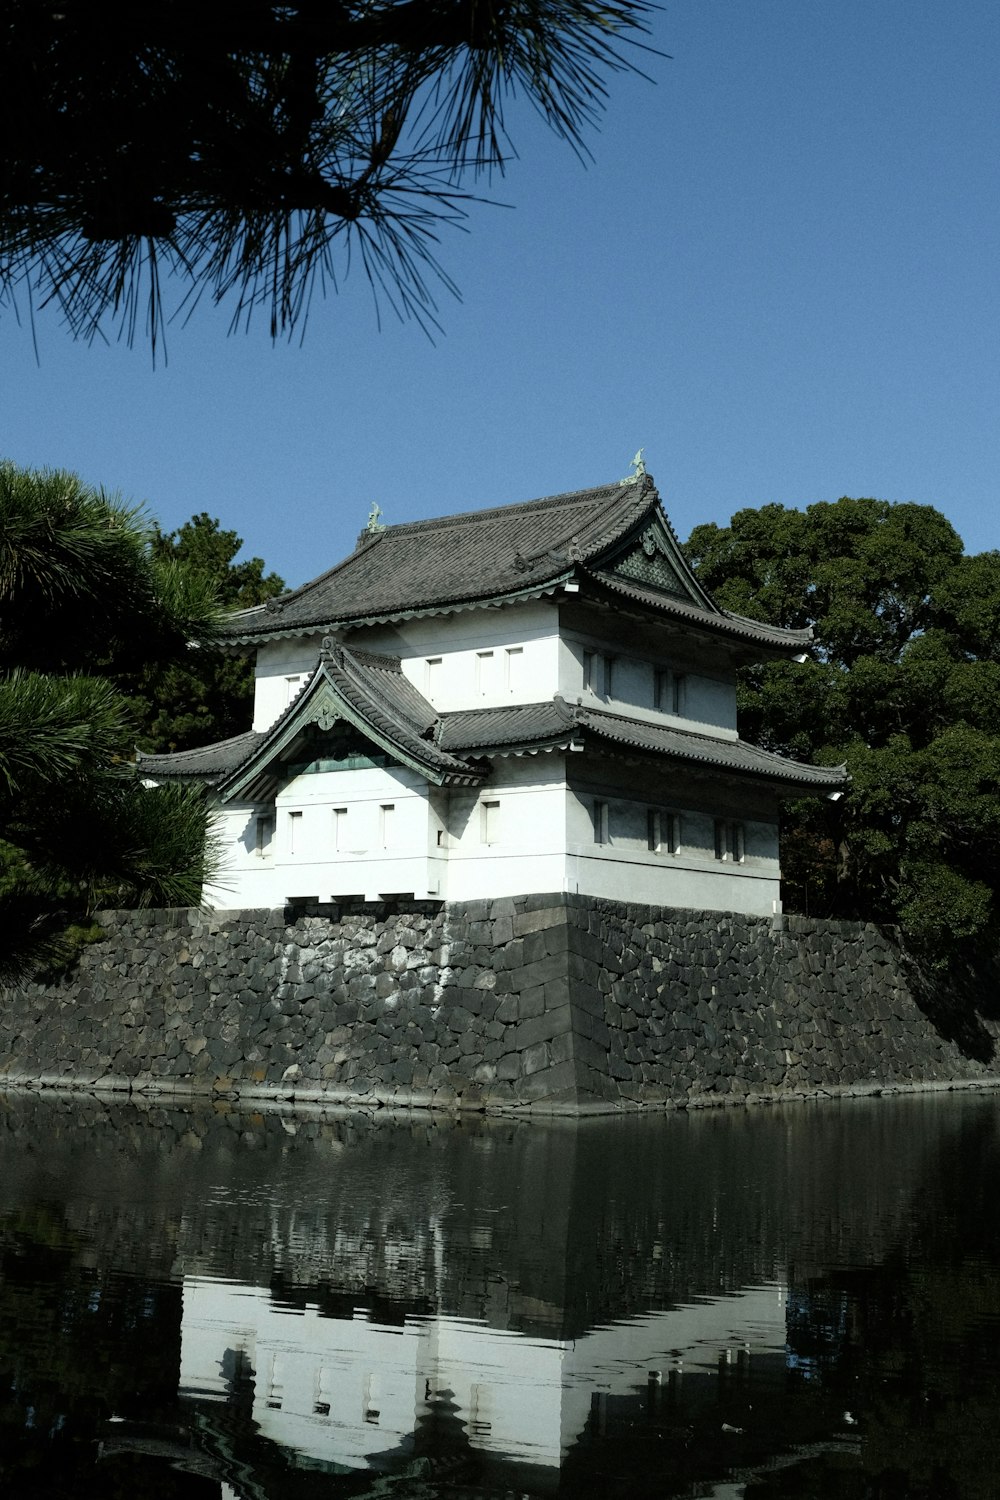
(545, 1001)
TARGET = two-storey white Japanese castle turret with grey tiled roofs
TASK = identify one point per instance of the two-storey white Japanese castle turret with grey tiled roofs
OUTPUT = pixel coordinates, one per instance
(530, 700)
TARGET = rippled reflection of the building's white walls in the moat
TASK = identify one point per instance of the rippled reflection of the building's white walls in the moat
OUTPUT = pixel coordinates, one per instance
(355, 1393)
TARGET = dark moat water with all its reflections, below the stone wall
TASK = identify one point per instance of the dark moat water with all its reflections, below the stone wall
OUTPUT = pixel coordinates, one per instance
(798, 1301)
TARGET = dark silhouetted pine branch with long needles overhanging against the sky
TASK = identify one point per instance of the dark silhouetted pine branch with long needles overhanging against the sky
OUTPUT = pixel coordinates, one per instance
(251, 149)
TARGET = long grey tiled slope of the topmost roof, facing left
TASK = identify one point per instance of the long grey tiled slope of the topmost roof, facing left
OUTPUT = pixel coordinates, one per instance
(455, 560)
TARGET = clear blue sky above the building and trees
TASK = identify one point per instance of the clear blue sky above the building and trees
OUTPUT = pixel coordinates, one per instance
(780, 275)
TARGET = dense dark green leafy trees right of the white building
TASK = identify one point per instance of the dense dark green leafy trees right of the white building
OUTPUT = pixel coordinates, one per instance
(903, 685)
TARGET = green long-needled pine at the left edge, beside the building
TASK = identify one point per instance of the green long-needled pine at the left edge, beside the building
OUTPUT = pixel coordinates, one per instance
(83, 598)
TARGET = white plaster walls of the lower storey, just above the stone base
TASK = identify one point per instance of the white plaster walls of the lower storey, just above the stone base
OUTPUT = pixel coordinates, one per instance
(522, 832)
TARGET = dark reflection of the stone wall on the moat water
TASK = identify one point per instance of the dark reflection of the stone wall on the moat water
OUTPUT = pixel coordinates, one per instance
(539, 1228)
